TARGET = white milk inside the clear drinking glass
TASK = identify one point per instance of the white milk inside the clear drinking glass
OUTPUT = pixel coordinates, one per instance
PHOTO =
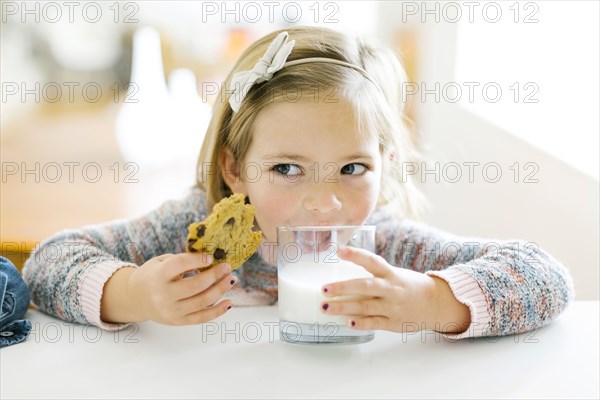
(300, 286)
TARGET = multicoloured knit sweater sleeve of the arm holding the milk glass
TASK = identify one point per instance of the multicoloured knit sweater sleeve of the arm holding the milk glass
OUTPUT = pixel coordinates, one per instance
(510, 286)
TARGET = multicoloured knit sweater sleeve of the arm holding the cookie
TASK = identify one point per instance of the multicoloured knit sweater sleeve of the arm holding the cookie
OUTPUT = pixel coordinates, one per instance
(67, 272)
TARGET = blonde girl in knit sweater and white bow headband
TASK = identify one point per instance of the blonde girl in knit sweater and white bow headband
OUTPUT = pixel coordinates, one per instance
(310, 129)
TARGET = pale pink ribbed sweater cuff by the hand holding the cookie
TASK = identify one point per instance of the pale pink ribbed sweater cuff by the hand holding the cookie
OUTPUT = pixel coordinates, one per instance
(90, 292)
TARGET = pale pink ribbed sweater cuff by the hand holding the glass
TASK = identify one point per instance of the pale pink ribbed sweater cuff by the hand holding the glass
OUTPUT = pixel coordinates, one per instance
(468, 292)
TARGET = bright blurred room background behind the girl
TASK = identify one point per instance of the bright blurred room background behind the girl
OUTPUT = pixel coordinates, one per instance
(104, 105)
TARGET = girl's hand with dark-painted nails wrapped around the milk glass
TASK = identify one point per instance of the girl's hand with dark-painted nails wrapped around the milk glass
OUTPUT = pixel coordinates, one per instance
(395, 299)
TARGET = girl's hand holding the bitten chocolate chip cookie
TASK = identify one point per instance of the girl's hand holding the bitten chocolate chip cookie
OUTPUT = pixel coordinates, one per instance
(157, 290)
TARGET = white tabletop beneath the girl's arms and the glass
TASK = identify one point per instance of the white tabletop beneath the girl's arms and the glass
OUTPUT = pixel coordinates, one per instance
(240, 355)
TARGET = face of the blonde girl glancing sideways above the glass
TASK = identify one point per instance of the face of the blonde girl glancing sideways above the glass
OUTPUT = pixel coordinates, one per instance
(307, 166)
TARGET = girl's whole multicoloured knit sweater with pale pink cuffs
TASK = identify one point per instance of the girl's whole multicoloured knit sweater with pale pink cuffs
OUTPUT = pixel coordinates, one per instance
(509, 286)
